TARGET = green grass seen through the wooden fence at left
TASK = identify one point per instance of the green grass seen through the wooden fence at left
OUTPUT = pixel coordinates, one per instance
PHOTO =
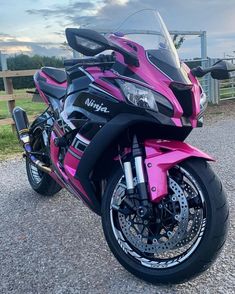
(9, 144)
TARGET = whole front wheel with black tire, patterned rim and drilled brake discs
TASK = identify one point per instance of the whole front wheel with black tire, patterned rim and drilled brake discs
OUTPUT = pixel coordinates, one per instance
(184, 233)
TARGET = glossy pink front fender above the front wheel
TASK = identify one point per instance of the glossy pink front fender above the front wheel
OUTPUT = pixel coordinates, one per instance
(162, 156)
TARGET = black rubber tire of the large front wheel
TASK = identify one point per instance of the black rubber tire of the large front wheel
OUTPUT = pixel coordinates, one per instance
(210, 244)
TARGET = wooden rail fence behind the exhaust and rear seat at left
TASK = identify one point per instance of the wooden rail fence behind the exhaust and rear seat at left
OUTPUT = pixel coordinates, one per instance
(10, 97)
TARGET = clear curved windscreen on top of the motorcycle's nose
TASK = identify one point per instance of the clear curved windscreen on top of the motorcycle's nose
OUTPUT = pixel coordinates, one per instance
(147, 28)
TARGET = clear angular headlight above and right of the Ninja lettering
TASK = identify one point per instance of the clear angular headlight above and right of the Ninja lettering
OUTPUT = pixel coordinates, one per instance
(144, 97)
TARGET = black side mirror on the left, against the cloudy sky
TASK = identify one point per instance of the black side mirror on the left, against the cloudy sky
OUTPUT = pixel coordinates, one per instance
(87, 42)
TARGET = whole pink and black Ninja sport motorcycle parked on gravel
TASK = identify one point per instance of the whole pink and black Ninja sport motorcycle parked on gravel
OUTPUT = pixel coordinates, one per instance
(113, 135)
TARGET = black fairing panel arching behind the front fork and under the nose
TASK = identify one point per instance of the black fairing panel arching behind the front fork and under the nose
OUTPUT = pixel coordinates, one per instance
(108, 135)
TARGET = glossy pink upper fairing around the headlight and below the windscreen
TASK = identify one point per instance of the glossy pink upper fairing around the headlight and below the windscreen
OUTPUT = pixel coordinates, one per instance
(154, 78)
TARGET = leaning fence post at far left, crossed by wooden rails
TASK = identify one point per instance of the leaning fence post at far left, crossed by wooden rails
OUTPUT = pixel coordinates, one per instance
(8, 86)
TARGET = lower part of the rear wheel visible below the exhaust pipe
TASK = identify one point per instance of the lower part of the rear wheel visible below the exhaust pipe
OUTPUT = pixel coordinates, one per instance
(41, 182)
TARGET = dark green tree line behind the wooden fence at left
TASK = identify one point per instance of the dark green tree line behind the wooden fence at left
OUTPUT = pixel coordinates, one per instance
(24, 62)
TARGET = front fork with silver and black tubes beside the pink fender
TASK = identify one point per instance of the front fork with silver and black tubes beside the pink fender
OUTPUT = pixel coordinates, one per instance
(137, 154)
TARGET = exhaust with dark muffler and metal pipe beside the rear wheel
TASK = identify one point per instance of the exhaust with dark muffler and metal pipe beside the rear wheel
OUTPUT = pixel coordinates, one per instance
(22, 127)
